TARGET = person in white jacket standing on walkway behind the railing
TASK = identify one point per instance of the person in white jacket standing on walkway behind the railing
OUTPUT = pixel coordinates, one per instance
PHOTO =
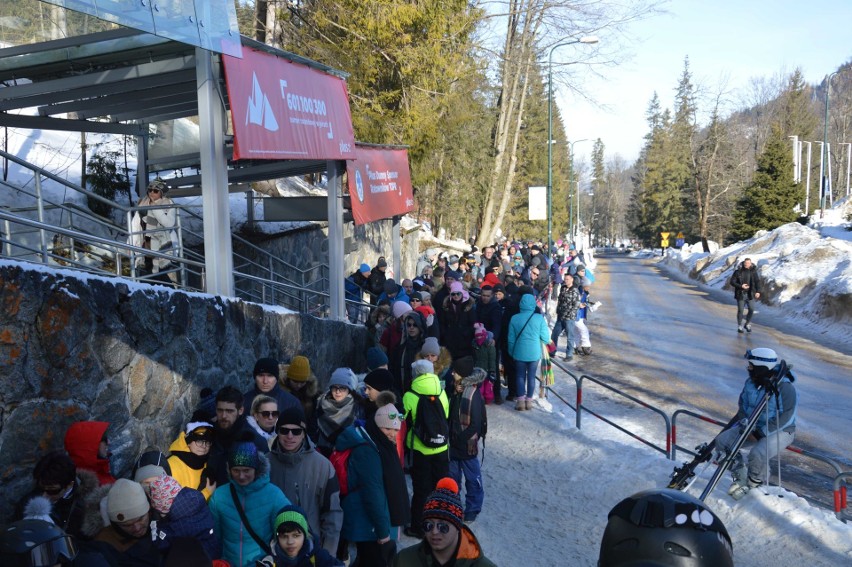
(151, 228)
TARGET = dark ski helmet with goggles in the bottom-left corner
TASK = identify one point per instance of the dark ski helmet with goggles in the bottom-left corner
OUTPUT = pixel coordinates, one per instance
(35, 543)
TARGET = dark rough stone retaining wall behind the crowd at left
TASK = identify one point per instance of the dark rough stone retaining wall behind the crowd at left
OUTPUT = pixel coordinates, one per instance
(77, 347)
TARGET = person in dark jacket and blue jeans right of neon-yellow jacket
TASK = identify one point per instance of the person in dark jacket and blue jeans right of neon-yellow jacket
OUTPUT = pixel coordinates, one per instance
(468, 424)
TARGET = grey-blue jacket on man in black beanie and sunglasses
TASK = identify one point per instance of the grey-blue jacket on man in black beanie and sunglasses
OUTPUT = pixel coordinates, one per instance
(308, 481)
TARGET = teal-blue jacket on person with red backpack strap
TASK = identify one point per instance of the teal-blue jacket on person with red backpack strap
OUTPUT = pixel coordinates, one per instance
(365, 507)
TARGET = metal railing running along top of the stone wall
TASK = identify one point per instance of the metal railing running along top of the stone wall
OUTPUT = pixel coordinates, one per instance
(63, 234)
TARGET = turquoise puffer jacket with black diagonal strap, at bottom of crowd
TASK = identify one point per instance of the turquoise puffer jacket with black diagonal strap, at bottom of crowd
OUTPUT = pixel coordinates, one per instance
(260, 501)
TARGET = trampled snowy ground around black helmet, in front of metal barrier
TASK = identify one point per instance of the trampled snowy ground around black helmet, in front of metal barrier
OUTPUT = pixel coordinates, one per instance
(549, 487)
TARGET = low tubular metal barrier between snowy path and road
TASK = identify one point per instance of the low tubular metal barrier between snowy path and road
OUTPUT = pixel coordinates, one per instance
(840, 479)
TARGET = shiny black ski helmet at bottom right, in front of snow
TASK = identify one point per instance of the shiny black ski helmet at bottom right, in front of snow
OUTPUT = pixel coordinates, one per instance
(662, 528)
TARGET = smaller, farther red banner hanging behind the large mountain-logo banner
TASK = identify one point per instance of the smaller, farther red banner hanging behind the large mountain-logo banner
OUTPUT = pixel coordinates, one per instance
(379, 184)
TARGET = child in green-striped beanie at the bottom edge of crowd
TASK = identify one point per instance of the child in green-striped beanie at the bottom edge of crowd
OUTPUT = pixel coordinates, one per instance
(293, 544)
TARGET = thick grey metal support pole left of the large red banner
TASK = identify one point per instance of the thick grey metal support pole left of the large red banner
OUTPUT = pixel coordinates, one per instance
(218, 251)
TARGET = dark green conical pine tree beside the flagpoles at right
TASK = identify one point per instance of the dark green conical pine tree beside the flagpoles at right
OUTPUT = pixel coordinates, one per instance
(768, 201)
